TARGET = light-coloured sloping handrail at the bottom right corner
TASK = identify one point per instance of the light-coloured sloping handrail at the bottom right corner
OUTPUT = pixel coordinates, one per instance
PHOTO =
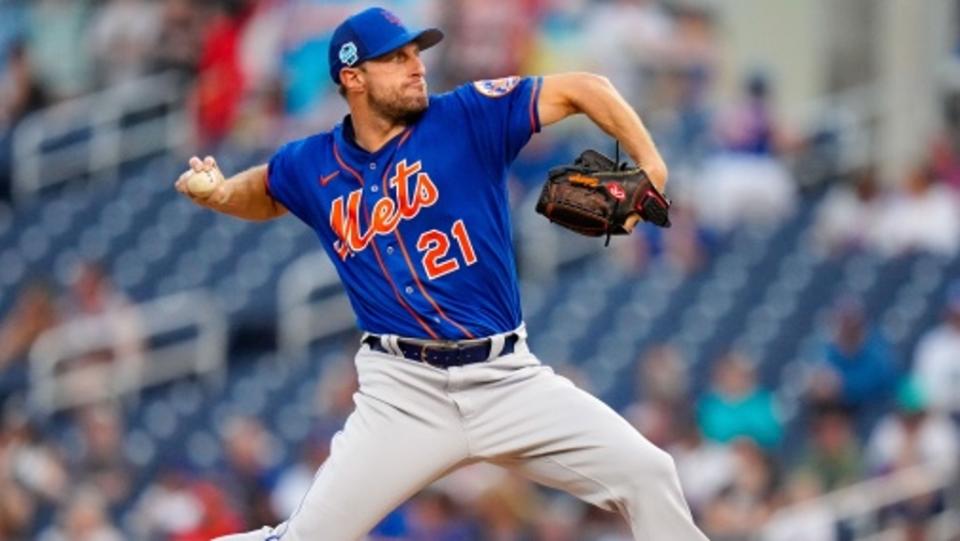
(860, 500)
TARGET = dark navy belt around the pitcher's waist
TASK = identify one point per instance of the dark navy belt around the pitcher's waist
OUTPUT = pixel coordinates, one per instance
(444, 353)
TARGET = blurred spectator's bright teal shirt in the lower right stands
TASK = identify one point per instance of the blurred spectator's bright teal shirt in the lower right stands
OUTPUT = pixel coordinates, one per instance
(753, 416)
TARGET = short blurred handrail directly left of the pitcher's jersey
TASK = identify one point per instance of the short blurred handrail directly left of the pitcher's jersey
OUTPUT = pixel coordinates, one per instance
(311, 303)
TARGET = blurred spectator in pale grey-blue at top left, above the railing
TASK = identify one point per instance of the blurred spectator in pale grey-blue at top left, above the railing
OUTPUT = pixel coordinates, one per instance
(56, 29)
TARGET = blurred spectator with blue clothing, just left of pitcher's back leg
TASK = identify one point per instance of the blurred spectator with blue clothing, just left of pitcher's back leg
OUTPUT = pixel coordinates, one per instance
(249, 475)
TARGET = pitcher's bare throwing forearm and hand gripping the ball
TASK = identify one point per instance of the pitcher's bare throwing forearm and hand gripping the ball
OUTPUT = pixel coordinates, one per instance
(243, 195)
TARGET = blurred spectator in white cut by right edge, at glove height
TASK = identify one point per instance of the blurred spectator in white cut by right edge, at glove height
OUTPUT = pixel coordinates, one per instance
(923, 216)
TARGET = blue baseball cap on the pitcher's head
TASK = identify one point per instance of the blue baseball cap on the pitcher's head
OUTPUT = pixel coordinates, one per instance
(371, 33)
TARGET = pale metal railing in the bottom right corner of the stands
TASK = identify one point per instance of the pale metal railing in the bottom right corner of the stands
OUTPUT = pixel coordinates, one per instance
(859, 505)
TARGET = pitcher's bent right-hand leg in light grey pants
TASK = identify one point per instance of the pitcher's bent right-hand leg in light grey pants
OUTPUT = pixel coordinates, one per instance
(558, 435)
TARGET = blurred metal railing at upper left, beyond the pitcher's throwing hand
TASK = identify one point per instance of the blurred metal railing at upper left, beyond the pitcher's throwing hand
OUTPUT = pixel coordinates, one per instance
(92, 136)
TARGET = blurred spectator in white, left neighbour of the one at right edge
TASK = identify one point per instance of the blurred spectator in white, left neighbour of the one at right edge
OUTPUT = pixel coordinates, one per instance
(847, 217)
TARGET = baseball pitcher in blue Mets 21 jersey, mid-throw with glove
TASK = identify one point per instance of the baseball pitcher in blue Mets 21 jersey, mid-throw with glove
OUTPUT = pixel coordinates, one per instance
(408, 197)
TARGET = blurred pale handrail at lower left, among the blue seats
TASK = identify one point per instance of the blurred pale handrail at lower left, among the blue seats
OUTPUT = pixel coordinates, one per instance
(53, 382)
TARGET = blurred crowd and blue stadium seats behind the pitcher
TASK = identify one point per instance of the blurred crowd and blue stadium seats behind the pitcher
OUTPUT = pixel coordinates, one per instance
(792, 341)
